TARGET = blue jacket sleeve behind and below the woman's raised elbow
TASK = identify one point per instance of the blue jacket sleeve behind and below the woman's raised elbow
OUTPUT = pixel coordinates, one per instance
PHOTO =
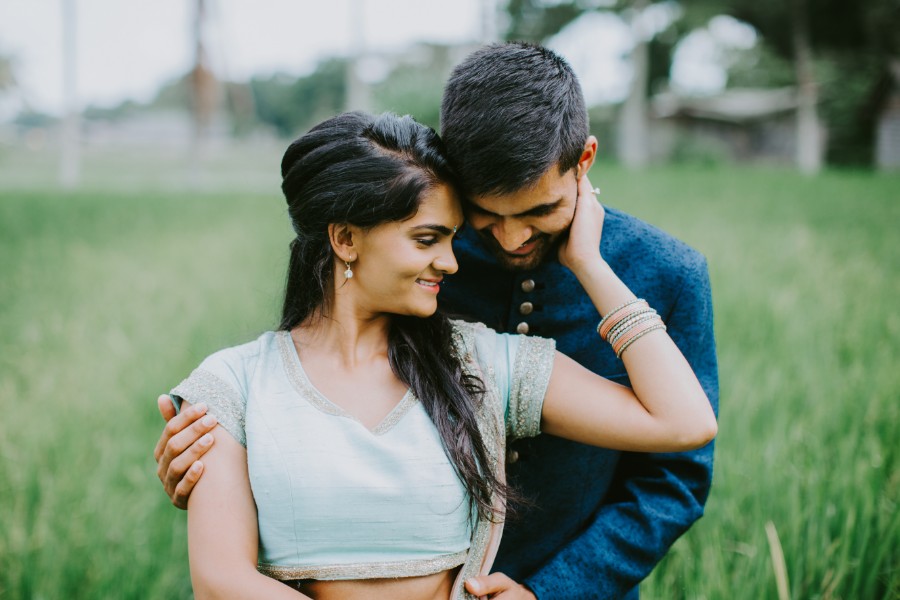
(654, 498)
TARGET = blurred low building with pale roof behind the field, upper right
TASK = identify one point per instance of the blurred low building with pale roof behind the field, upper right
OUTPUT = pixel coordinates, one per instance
(738, 125)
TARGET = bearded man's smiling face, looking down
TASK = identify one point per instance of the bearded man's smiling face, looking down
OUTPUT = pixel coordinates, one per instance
(525, 227)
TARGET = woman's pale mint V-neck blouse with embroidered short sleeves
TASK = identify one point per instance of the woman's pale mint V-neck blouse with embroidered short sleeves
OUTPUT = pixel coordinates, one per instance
(336, 500)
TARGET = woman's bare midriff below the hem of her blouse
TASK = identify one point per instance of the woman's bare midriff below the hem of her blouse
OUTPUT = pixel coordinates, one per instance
(428, 587)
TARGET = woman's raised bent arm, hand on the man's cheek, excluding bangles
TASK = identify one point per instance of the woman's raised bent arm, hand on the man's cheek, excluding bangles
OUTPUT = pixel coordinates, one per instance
(666, 411)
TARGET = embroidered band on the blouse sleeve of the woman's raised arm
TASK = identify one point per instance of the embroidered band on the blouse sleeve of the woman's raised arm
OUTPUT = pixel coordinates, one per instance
(530, 377)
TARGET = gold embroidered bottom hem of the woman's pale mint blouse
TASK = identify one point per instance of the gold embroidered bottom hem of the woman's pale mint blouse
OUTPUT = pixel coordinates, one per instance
(371, 570)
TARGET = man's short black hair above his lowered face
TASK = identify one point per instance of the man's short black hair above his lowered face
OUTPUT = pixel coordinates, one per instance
(510, 112)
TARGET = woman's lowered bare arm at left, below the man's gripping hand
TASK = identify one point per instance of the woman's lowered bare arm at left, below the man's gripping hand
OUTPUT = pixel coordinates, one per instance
(222, 529)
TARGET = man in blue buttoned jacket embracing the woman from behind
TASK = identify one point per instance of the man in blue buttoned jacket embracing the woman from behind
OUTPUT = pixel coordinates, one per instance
(515, 125)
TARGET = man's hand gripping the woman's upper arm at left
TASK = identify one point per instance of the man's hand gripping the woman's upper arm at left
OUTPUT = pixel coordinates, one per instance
(185, 438)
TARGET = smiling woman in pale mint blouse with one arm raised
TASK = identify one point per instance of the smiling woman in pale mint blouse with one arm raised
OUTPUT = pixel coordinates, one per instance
(367, 434)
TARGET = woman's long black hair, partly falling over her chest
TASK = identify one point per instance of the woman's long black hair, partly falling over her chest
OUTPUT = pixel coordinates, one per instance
(363, 170)
